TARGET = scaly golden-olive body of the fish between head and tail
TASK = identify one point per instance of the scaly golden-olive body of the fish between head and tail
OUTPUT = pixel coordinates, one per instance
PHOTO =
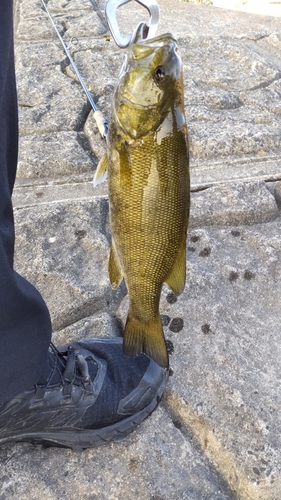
(151, 221)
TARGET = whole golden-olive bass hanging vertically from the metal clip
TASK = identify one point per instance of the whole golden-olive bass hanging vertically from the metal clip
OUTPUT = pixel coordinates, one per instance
(147, 165)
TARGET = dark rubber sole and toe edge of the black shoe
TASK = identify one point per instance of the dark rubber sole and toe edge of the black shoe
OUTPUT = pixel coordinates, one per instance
(79, 439)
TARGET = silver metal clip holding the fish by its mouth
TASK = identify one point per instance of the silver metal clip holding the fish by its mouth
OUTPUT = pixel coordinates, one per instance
(147, 30)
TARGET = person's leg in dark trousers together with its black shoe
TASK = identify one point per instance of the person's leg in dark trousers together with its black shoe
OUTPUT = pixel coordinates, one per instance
(79, 396)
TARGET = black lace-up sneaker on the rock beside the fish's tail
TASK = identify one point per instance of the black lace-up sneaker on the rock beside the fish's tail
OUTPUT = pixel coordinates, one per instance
(90, 393)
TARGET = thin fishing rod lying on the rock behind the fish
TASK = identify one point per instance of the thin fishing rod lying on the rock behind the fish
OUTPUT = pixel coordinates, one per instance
(100, 120)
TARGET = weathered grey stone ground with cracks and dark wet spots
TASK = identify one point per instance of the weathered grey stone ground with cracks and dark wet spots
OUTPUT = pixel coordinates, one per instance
(216, 434)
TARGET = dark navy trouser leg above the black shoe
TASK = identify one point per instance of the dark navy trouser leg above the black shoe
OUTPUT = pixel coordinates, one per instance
(25, 327)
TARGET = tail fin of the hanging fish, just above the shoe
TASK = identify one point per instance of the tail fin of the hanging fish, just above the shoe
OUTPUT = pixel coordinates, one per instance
(146, 337)
